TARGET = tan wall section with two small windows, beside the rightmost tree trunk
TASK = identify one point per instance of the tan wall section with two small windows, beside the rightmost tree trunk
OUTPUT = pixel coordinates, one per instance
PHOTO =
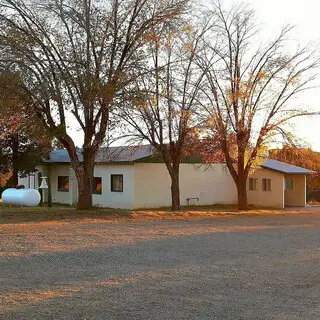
(273, 198)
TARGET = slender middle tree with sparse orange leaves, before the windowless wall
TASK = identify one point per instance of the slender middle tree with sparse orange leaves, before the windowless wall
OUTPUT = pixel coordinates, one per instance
(163, 111)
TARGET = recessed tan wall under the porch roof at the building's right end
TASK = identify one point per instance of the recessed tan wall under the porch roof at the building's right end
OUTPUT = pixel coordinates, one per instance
(297, 196)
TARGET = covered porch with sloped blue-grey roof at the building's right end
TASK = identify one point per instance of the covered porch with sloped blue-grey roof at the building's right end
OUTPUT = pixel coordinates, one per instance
(294, 182)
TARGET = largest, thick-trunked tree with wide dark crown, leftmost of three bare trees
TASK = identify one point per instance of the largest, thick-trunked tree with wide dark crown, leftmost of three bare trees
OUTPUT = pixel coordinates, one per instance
(76, 58)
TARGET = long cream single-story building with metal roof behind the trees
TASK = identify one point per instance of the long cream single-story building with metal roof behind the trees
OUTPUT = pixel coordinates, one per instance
(130, 178)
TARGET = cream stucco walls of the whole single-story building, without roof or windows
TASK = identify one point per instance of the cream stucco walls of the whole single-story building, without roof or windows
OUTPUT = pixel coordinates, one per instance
(147, 185)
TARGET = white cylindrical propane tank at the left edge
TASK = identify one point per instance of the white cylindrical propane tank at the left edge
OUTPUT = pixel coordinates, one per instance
(21, 197)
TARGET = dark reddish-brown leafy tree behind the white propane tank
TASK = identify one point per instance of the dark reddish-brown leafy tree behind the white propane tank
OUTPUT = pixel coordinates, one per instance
(22, 140)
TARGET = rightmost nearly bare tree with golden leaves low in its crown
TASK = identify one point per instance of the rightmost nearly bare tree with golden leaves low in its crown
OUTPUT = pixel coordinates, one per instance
(250, 88)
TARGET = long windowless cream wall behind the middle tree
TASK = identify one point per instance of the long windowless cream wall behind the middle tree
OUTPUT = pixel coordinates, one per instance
(210, 184)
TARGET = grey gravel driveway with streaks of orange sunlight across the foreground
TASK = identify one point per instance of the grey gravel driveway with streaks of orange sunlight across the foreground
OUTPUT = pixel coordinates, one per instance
(261, 267)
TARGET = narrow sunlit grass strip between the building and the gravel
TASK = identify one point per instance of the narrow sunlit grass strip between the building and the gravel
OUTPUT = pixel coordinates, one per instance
(62, 212)
